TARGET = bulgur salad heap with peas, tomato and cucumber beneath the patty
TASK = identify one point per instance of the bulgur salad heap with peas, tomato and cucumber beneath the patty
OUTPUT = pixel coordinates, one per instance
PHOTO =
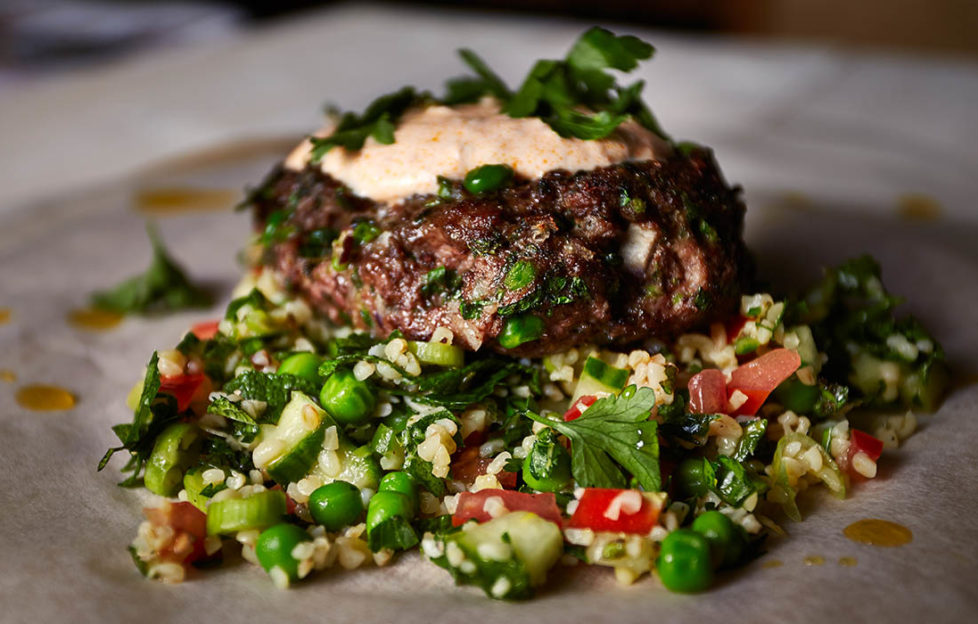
(303, 446)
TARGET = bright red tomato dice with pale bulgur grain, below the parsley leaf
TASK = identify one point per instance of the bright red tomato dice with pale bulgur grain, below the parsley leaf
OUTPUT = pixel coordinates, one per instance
(617, 511)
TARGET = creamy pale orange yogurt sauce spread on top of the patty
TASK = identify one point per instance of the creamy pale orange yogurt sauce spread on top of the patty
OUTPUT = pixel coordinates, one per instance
(443, 141)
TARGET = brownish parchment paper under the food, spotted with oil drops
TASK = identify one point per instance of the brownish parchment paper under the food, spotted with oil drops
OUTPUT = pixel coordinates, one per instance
(64, 527)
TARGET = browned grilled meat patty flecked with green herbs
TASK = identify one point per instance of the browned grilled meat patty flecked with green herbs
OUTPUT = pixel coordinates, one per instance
(612, 255)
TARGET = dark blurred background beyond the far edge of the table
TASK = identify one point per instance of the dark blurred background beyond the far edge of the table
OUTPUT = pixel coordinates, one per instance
(41, 38)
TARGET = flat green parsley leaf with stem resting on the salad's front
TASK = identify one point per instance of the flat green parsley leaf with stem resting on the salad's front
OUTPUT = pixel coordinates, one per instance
(612, 434)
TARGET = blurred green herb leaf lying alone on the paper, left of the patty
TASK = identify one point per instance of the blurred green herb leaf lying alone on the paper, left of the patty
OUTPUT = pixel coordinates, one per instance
(164, 287)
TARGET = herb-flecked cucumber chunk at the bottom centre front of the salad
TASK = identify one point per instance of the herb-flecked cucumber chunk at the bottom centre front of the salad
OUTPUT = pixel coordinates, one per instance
(506, 556)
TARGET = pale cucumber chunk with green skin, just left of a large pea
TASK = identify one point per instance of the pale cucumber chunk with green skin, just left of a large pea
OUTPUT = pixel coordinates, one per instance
(299, 433)
